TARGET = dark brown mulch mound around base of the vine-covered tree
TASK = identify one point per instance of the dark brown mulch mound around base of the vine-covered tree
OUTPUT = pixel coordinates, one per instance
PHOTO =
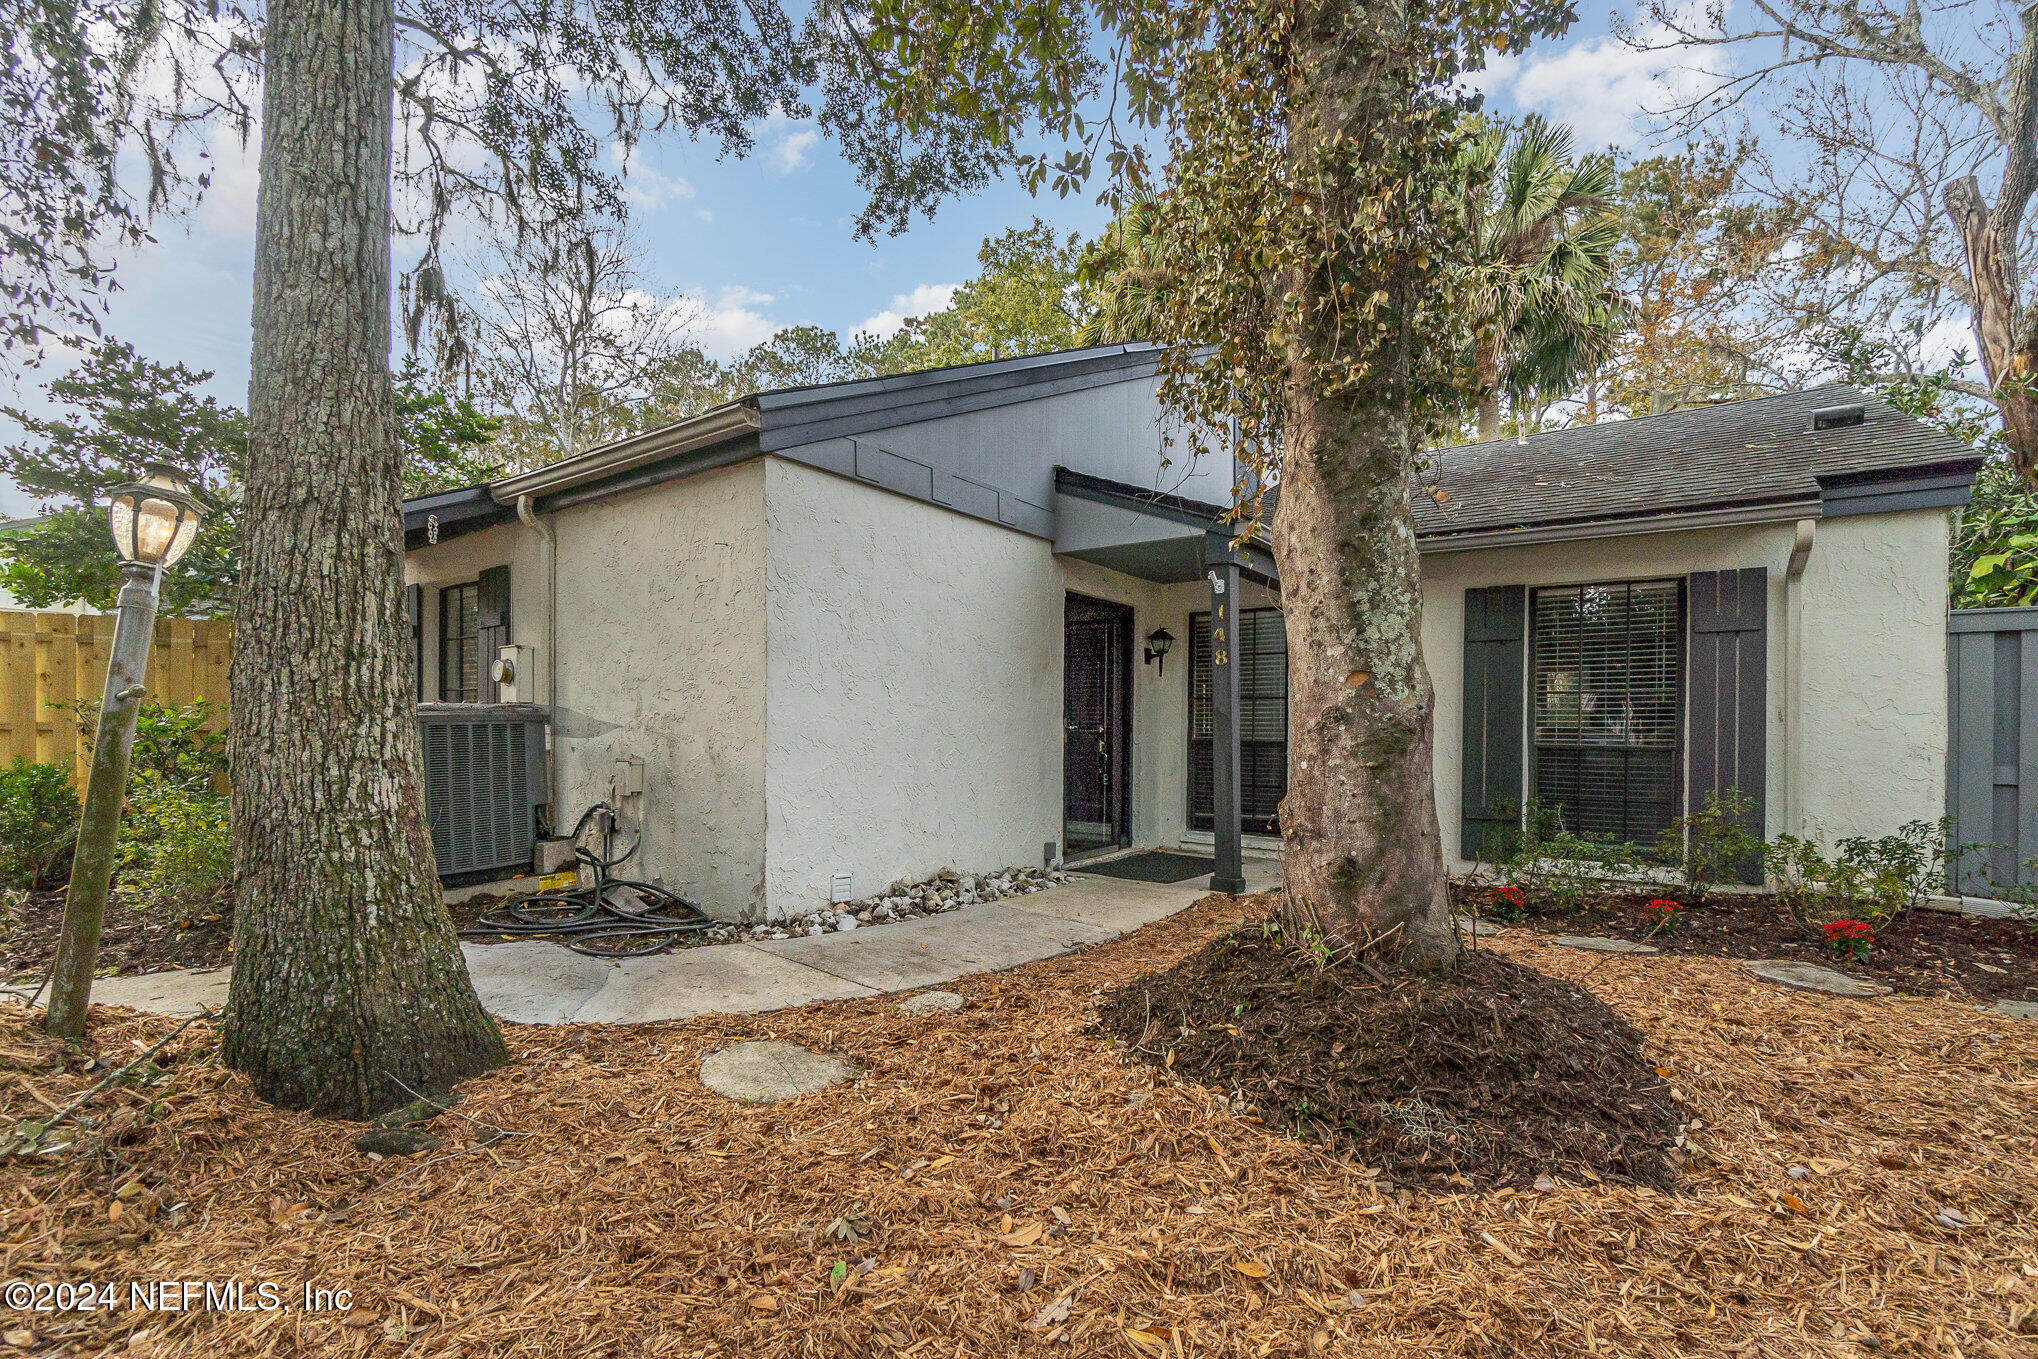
(1493, 1077)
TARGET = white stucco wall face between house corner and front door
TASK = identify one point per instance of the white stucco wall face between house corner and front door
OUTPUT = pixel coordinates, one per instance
(914, 696)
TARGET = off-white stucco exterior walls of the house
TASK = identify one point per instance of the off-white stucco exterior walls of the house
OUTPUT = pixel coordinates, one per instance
(824, 677)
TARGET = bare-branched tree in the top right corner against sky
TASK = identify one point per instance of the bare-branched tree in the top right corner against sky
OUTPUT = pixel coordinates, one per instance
(1905, 140)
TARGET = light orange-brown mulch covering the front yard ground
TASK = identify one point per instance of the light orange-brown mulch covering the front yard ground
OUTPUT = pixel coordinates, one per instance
(1032, 1191)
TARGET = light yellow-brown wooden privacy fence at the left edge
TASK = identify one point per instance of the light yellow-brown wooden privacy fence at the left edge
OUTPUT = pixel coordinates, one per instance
(52, 659)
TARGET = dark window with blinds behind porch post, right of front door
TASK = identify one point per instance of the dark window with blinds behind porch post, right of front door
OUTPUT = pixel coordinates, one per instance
(1263, 720)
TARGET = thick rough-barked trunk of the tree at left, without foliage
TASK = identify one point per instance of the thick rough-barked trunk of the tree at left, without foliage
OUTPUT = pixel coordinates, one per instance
(350, 985)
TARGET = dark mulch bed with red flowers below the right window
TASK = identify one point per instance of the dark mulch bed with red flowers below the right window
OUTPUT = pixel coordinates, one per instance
(1919, 955)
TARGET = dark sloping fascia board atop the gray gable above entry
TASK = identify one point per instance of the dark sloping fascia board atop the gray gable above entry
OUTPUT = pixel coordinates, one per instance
(816, 415)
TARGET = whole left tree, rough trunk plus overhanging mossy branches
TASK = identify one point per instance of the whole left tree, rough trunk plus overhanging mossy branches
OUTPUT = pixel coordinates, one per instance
(350, 991)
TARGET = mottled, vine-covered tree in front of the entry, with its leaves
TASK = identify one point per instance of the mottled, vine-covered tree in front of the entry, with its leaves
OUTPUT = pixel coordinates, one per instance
(1318, 246)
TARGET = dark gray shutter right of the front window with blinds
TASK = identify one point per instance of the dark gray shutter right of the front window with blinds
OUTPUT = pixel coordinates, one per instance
(1729, 686)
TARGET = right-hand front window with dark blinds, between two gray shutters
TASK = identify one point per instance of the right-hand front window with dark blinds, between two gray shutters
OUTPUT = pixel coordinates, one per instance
(1609, 673)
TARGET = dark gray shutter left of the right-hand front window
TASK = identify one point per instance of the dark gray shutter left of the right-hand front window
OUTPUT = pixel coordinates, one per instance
(1497, 649)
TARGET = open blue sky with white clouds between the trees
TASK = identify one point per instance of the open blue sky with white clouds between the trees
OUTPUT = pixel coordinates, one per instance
(767, 241)
